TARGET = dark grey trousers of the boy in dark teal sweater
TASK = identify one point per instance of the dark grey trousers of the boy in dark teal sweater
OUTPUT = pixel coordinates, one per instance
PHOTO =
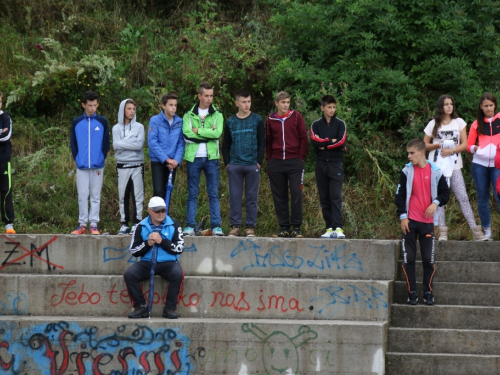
(237, 176)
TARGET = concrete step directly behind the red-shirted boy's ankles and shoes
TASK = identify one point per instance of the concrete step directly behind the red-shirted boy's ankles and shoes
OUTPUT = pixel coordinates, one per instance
(476, 294)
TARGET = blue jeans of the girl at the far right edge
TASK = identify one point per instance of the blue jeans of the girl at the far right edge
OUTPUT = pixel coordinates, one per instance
(483, 178)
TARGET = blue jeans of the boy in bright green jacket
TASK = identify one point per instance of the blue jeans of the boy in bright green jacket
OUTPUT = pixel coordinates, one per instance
(194, 169)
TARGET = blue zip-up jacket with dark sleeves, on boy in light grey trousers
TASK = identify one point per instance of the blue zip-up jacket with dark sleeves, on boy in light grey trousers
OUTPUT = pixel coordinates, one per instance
(89, 141)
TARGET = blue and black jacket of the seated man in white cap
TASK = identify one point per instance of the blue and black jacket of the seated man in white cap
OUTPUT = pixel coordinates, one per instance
(172, 243)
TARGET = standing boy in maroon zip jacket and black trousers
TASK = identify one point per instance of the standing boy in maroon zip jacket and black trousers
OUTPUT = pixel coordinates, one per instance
(286, 150)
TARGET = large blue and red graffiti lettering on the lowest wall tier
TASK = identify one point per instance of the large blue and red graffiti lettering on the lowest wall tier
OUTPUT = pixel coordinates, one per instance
(65, 348)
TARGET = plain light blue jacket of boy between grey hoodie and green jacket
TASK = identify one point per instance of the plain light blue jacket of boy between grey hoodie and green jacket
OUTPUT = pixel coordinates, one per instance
(165, 141)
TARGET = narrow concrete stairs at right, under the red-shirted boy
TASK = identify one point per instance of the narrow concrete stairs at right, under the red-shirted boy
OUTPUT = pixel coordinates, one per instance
(461, 333)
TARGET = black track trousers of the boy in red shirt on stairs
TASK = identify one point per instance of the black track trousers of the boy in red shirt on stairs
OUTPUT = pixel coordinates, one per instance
(425, 234)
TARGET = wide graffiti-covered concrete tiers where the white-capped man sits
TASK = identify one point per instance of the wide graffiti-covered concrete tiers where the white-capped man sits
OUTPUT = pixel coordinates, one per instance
(260, 306)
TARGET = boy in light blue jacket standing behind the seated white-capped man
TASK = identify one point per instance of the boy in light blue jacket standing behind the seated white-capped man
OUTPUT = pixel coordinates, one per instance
(166, 144)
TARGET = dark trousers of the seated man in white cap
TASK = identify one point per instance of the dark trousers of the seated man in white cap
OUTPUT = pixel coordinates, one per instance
(170, 271)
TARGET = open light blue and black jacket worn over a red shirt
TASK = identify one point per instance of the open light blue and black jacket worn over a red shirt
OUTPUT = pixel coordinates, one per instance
(440, 190)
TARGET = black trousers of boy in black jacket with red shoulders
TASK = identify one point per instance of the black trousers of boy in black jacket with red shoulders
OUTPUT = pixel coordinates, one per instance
(329, 178)
